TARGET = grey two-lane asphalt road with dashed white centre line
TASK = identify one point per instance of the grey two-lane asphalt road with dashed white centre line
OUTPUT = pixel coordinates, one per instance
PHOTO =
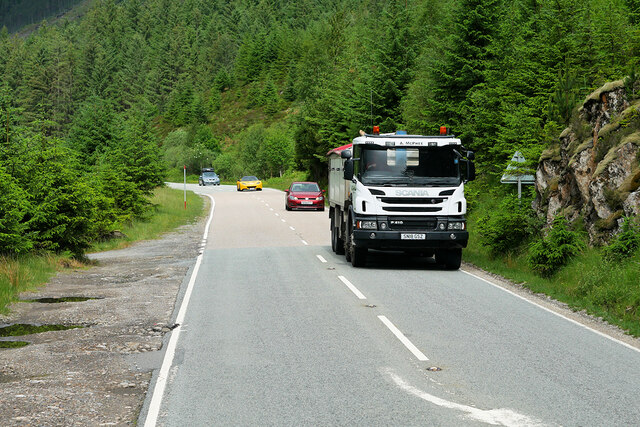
(279, 330)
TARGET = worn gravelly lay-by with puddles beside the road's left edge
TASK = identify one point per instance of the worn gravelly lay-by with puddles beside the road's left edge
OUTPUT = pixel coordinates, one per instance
(98, 374)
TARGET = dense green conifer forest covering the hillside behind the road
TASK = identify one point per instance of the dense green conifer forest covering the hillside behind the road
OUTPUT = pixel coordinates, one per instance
(97, 109)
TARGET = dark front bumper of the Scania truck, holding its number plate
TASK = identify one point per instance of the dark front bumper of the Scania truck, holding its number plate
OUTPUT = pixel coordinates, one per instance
(376, 239)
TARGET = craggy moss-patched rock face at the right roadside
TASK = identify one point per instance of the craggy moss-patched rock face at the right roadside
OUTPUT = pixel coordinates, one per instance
(593, 171)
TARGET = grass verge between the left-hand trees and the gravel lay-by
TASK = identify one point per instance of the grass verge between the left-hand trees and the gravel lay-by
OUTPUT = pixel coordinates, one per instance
(20, 274)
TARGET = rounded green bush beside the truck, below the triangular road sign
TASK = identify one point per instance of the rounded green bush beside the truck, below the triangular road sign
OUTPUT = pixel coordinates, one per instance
(508, 226)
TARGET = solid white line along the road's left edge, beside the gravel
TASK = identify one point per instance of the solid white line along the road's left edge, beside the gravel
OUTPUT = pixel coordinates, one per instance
(163, 374)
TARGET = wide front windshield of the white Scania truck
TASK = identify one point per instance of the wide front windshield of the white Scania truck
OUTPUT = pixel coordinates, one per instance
(409, 166)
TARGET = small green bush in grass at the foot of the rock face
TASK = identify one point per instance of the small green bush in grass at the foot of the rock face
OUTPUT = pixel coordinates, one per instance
(552, 252)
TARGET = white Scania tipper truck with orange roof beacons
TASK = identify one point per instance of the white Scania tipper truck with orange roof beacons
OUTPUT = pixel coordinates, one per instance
(400, 192)
